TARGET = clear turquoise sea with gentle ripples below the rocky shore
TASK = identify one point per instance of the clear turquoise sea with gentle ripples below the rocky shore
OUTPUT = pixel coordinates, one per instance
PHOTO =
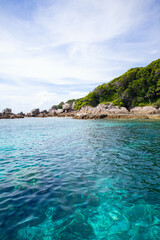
(65, 179)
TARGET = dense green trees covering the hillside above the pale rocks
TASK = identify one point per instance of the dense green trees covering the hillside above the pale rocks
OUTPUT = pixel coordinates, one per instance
(137, 87)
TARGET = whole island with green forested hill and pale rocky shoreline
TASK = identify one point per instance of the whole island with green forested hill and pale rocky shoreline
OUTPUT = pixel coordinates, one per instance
(133, 95)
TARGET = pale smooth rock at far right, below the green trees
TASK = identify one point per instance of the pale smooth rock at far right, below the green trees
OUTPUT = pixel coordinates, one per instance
(145, 110)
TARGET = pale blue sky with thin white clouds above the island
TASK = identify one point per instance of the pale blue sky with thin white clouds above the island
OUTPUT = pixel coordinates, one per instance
(55, 50)
